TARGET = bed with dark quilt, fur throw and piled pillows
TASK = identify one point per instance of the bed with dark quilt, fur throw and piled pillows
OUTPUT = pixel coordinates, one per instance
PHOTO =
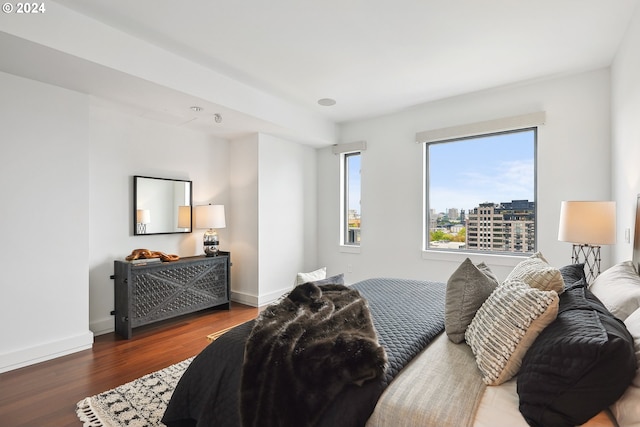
(424, 354)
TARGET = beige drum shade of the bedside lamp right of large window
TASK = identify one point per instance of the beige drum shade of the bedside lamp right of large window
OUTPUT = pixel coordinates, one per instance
(592, 223)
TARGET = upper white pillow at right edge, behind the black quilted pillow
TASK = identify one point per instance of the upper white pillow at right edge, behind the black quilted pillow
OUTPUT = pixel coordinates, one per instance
(619, 289)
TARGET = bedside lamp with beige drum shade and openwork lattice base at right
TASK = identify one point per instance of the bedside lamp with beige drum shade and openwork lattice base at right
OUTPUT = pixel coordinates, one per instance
(588, 225)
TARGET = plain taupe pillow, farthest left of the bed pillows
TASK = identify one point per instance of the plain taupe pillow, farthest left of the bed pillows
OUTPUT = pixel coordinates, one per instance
(467, 288)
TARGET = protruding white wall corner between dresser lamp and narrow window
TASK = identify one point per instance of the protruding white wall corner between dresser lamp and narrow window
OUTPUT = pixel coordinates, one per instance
(273, 186)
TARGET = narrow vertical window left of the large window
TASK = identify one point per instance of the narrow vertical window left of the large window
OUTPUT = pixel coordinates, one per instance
(351, 213)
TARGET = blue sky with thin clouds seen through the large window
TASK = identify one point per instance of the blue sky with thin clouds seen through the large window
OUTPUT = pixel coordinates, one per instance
(497, 168)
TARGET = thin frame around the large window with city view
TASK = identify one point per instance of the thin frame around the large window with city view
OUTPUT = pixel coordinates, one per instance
(426, 198)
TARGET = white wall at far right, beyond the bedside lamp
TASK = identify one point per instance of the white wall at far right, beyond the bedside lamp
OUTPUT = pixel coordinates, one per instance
(626, 135)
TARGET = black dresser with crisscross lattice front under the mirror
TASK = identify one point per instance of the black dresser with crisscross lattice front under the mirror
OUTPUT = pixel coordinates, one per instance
(150, 292)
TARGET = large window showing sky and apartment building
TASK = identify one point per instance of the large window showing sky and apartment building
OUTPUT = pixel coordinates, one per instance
(480, 193)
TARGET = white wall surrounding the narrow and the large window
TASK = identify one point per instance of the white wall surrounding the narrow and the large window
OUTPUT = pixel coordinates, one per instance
(573, 164)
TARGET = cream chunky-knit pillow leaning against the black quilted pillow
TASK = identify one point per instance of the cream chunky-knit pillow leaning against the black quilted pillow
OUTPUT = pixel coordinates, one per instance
(505, 327)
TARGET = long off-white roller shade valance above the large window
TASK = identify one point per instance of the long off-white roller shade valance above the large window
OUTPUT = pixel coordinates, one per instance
(480, 128)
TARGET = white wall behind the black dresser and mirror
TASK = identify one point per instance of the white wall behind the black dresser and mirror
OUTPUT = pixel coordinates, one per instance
(123, 145)
